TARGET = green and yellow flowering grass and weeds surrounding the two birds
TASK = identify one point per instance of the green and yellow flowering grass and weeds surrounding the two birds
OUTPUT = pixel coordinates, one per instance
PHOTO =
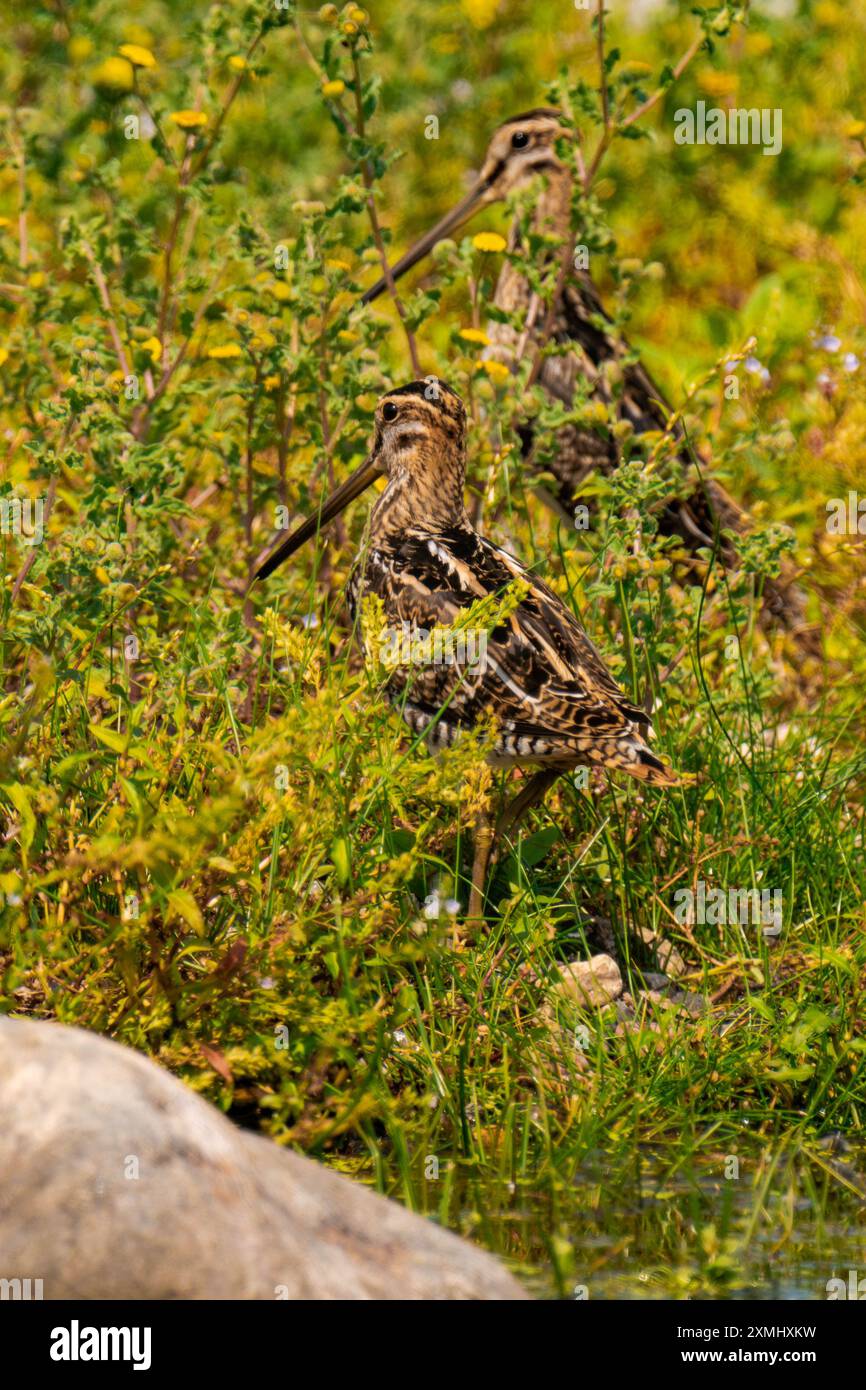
(219, 853)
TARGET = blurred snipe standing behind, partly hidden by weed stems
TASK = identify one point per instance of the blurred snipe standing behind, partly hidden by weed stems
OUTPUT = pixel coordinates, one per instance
(522, 149)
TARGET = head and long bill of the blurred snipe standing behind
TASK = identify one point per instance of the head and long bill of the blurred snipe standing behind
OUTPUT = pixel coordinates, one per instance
(522, 148)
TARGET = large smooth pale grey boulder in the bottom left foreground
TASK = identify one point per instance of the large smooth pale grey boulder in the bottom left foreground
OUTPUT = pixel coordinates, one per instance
(213, 1213)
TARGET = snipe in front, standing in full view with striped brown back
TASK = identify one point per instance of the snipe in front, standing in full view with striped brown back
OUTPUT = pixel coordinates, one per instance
(555, 705)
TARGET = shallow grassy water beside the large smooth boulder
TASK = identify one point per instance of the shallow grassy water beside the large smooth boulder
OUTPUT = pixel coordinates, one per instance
(779, 1232)
